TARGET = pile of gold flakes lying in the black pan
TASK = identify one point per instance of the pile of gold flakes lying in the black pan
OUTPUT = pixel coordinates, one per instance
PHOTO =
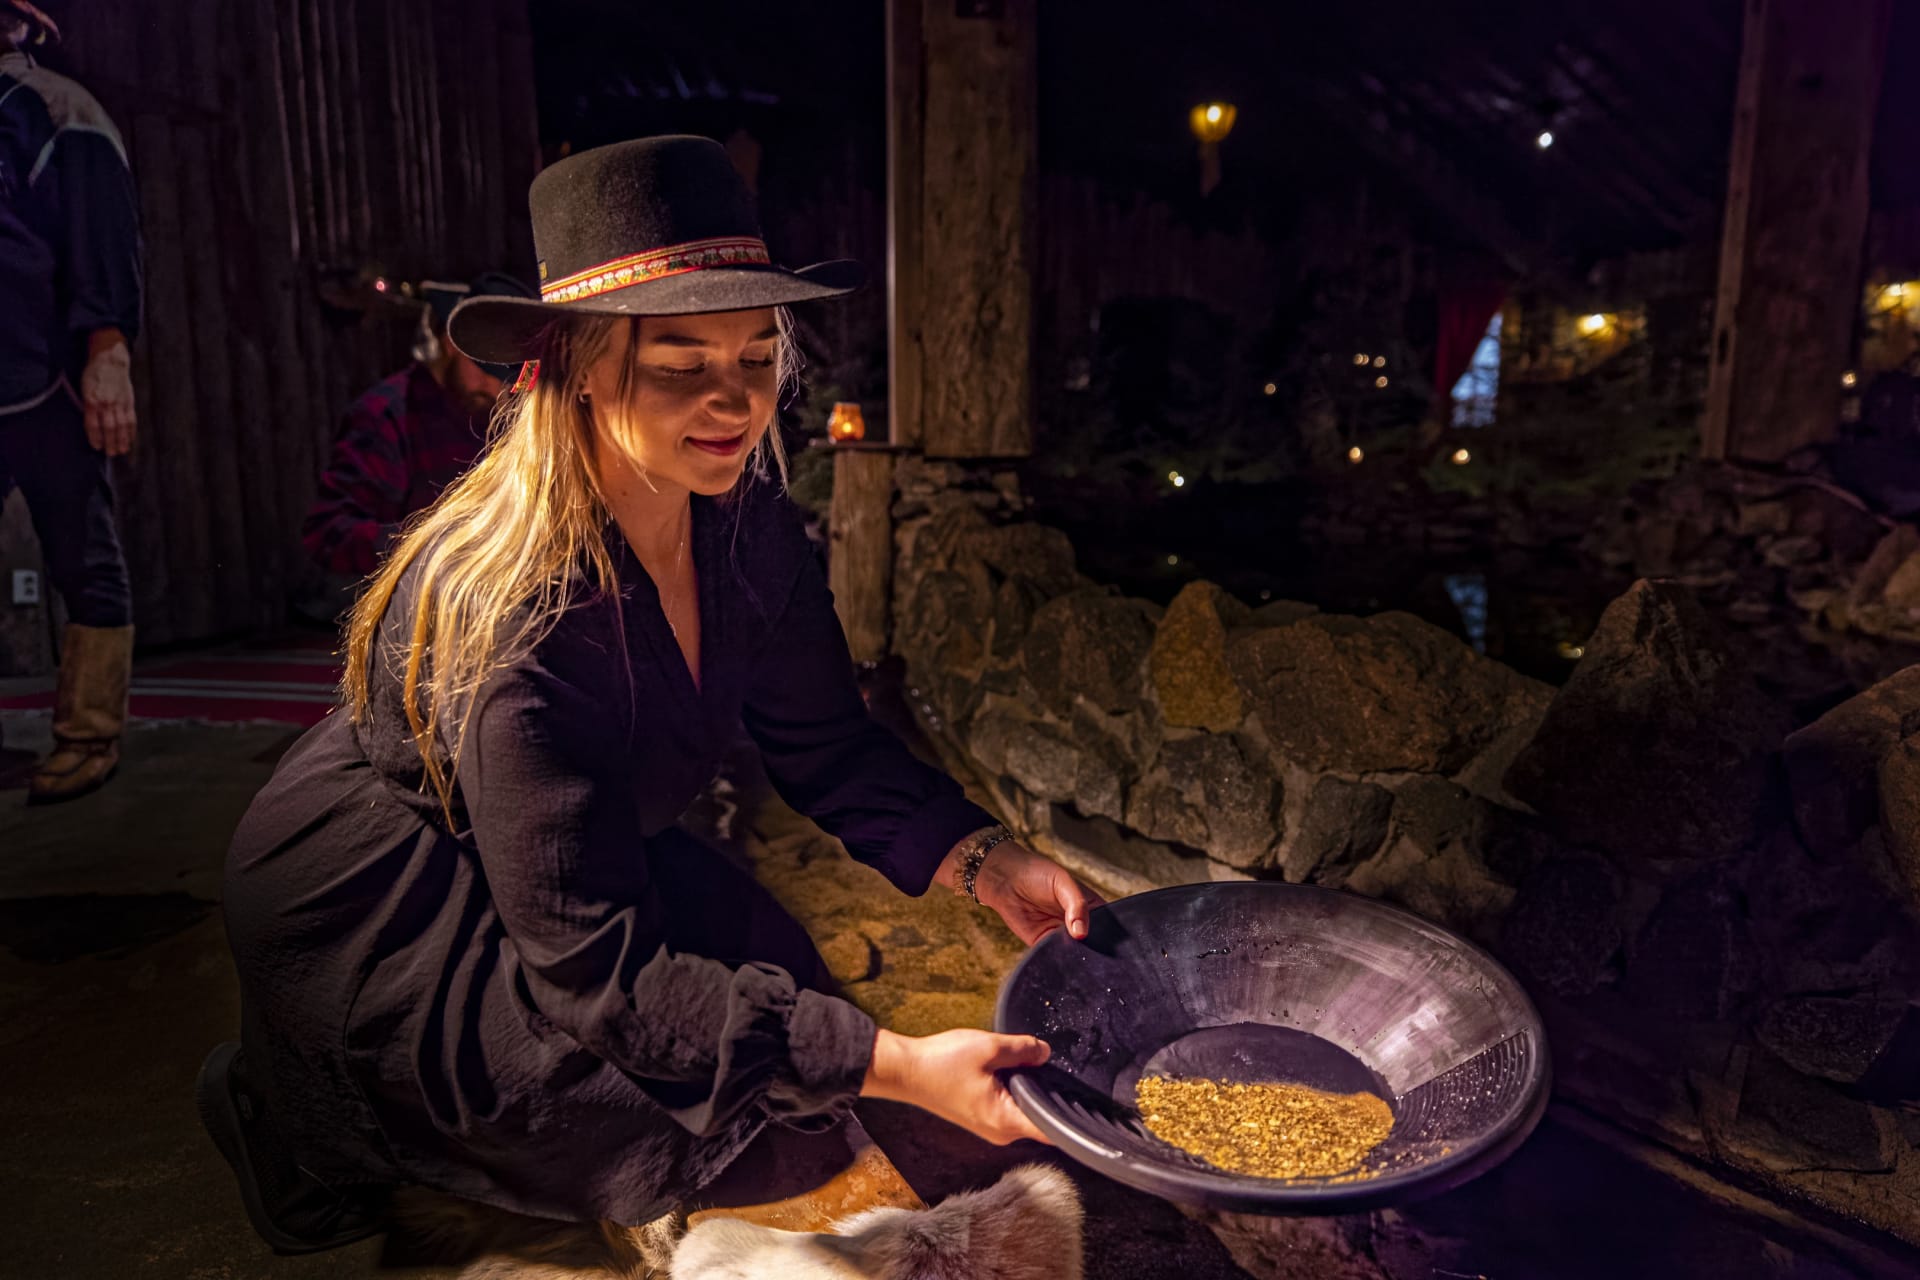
(1270, 1131)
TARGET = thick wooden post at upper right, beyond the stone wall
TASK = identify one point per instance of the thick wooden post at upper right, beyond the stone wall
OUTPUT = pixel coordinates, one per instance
(1796, 222)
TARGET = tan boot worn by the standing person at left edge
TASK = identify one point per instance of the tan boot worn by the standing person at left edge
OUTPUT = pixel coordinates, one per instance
(89, 715)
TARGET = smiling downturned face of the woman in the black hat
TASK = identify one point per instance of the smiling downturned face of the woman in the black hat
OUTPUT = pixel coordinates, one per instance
(702, 394)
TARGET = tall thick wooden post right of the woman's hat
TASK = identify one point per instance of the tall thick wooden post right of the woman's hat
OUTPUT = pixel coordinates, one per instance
(978, 149)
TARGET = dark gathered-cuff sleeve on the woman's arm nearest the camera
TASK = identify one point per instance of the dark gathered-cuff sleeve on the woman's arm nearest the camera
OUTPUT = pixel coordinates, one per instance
(562, 845)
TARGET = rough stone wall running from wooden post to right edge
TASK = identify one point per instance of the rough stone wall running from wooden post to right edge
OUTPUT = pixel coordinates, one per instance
(1714, 907)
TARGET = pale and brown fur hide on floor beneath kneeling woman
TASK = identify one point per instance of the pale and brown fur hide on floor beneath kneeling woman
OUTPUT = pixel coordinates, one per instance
(1024, 1227)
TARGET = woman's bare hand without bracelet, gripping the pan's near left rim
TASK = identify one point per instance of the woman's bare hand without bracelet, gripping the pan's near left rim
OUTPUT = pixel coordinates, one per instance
(953, 1078)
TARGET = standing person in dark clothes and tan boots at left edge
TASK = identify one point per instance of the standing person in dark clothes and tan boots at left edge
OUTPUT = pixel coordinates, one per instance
(70, 273)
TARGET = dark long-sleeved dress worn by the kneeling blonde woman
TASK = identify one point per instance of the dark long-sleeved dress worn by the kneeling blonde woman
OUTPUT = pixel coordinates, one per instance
(564, 1005)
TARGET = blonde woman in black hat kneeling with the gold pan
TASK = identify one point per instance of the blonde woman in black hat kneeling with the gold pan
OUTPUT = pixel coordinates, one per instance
(475, 949)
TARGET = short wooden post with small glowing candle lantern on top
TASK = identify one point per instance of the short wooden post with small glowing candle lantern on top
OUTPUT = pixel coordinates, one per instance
(861, 546)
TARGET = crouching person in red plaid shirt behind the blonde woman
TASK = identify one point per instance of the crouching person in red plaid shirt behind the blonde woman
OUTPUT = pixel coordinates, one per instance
(400, 444)
